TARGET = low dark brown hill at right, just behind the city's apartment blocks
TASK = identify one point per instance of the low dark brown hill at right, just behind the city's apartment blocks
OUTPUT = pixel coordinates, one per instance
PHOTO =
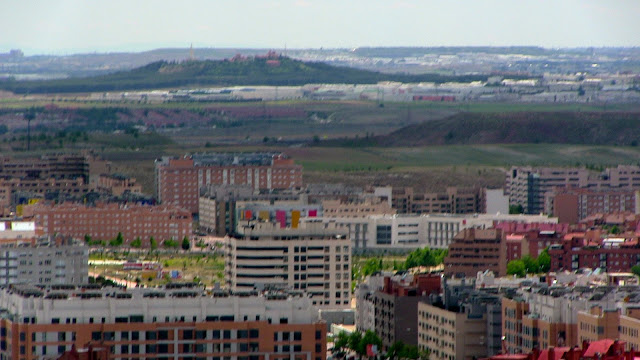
(588, 128)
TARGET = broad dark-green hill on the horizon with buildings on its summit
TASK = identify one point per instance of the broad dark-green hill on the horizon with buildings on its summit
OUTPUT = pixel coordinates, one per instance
(275, 71)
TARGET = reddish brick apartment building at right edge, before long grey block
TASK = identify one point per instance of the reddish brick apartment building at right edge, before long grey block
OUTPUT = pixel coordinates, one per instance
(574, 205)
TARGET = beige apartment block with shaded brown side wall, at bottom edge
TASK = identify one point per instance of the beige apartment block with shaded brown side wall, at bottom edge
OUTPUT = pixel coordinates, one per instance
(449, 335)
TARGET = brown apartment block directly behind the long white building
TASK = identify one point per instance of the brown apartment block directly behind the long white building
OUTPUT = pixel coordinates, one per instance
(453, 201)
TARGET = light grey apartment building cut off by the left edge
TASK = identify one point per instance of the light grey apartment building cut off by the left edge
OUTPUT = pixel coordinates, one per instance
(43, 264)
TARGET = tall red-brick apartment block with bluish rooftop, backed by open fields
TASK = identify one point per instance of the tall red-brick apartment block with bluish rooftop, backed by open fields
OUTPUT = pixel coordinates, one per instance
(179, 180)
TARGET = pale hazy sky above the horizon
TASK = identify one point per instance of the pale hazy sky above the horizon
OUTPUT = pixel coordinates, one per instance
(69, 26)
